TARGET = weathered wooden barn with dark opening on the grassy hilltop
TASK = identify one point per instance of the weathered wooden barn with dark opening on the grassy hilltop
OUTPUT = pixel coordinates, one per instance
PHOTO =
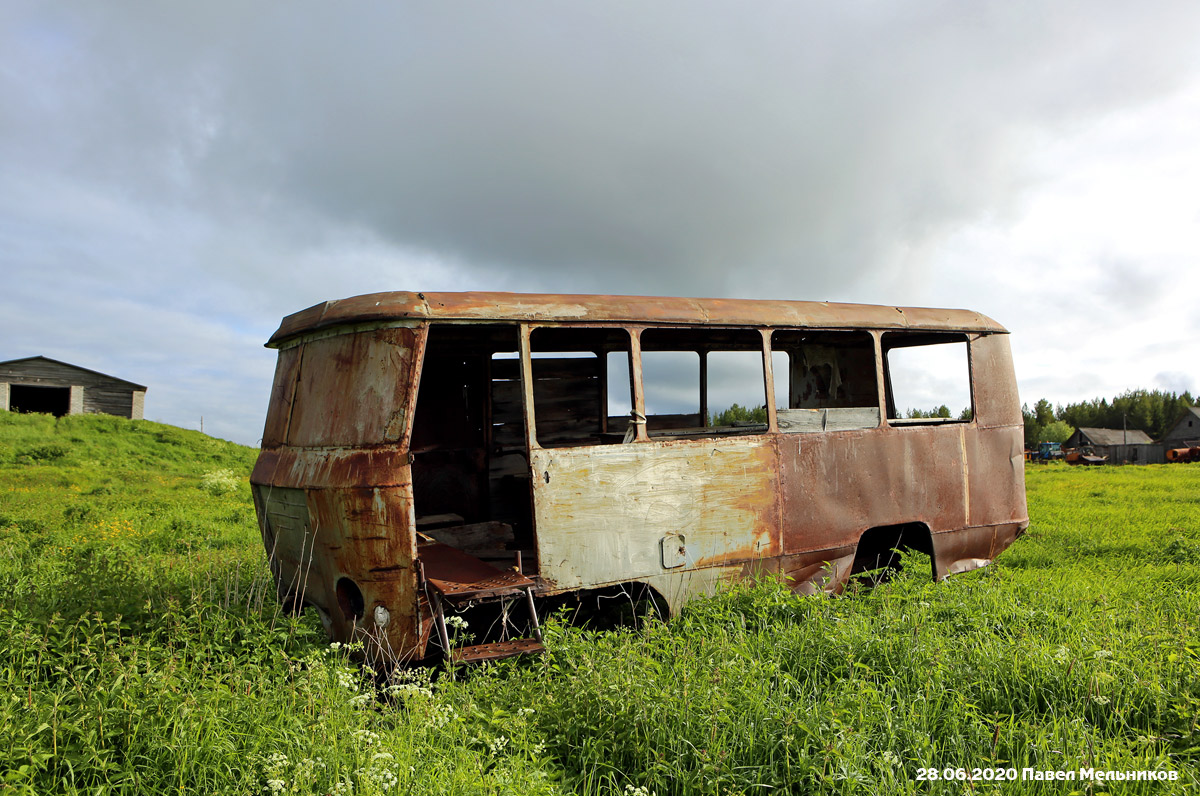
(44, 385)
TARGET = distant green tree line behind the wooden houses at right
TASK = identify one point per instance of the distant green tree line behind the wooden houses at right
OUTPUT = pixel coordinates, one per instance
(1151, 411)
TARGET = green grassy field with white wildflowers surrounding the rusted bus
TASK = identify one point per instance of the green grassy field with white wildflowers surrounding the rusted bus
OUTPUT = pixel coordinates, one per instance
(141, 653)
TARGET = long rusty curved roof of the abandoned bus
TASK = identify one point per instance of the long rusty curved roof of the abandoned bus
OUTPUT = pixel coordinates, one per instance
(543, 308)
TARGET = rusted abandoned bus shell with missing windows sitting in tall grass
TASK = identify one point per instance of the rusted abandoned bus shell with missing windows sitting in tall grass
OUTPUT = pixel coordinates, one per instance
(424, 453)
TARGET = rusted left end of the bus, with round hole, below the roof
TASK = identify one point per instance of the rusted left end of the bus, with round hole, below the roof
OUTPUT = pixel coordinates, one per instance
(335, 435)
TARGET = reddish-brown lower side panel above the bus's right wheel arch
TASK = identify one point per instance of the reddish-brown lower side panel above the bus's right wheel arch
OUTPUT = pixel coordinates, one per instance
(837, 486)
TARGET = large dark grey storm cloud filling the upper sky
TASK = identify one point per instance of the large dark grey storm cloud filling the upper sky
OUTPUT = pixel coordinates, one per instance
(674, 148)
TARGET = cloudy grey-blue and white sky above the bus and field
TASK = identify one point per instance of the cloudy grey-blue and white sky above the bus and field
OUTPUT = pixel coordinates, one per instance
(176, 178)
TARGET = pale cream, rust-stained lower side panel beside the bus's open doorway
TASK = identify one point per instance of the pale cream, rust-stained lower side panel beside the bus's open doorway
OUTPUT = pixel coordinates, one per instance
(613, 514)
